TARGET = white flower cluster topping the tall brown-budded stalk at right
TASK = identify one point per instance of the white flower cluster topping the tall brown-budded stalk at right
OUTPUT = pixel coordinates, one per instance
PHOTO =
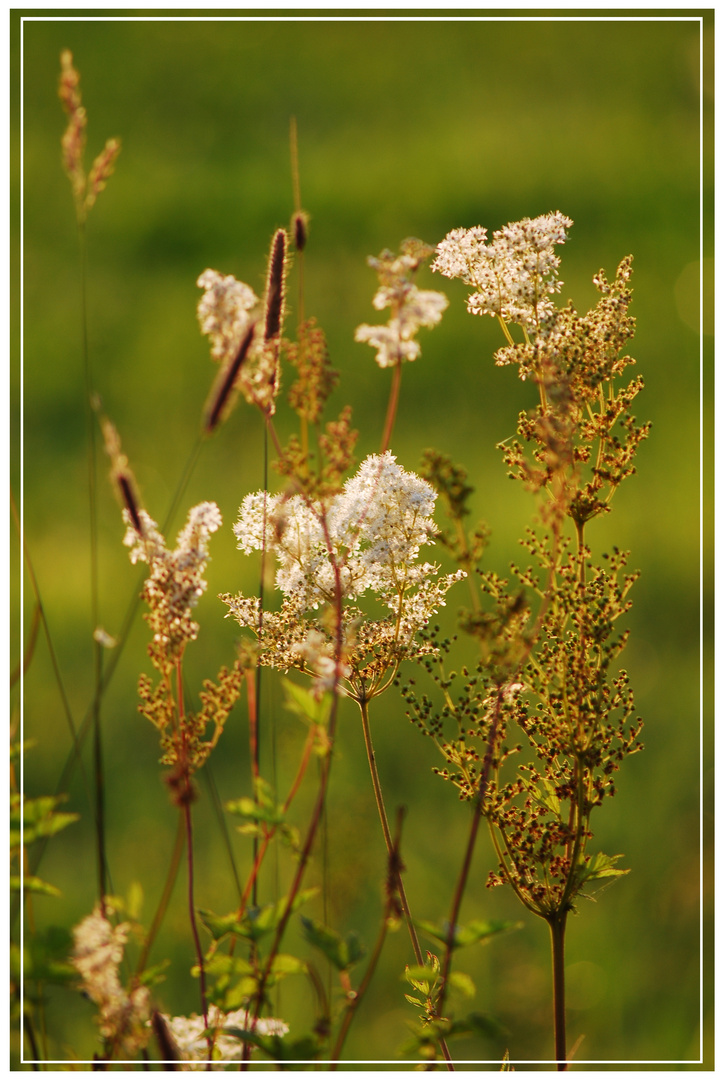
(515, 276)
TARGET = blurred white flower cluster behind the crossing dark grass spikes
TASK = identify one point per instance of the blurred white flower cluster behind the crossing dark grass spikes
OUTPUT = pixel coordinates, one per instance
(227, 312)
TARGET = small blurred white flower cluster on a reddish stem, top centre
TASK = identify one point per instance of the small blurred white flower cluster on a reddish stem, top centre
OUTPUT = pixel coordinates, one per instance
(411, 308)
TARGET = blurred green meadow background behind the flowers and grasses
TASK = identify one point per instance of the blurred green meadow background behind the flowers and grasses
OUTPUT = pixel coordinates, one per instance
(406, 129)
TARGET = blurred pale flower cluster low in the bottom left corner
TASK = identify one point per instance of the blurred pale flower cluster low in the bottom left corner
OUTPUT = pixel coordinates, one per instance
(98, 954)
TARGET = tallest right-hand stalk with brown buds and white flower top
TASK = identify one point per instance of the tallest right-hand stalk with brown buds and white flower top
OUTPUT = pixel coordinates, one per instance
(550, 650)
